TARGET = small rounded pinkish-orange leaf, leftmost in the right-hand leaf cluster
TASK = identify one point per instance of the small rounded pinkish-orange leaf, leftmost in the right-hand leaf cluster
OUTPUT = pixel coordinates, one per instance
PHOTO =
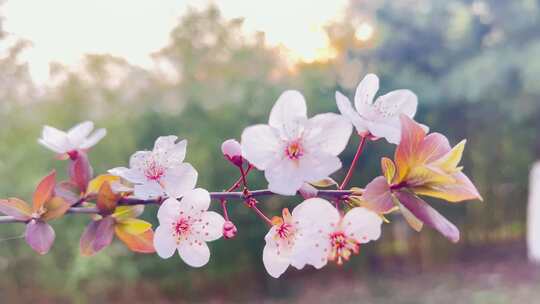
(377, 196)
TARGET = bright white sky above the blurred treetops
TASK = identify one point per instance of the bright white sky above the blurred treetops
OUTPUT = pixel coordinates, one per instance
(64, 30)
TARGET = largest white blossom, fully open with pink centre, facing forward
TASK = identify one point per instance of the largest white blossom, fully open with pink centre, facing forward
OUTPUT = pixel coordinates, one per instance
(293, 149)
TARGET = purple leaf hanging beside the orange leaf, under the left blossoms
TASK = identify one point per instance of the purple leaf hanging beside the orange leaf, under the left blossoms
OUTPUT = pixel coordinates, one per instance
(97, 236)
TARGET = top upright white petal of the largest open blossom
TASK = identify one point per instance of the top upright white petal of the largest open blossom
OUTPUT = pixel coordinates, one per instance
(287, 111)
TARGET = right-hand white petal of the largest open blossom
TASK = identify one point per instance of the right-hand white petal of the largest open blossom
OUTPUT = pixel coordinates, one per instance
(328, 133)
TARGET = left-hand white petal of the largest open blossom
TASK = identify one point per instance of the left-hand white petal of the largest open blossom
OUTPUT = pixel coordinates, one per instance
(261, 146)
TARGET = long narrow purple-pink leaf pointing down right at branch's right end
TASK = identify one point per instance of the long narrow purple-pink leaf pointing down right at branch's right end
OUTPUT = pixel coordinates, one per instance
(428, 215)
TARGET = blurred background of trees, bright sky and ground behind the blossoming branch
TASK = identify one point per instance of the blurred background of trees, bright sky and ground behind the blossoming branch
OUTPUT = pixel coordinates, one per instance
(475, 66)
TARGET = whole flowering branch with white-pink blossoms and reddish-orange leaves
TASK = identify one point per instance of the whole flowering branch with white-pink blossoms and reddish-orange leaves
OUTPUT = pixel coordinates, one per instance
(297, 154)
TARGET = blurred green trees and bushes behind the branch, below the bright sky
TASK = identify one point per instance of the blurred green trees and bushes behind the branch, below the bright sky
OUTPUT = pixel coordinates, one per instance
(473, 64)
